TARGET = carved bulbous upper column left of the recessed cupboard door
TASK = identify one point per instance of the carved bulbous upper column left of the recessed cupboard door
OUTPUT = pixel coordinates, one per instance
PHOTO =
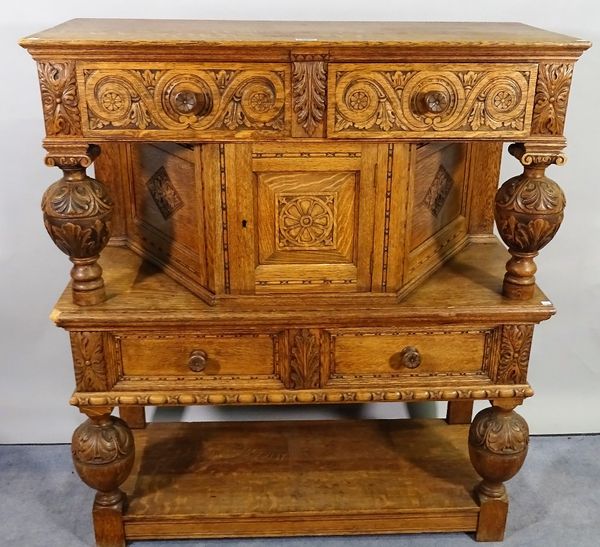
(77, 212)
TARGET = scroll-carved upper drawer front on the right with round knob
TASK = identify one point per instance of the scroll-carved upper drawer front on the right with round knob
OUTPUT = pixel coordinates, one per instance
(430, 100)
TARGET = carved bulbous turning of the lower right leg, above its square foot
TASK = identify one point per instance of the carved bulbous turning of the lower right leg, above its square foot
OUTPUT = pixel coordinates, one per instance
(498, 441)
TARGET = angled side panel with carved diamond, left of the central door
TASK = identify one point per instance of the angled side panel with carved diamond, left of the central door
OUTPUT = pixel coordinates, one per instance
(166, 209)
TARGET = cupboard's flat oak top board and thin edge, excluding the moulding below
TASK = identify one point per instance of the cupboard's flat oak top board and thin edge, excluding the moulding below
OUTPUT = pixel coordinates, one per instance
(135, 33)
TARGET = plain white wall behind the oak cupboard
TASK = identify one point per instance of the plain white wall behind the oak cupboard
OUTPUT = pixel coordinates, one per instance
(35, 366)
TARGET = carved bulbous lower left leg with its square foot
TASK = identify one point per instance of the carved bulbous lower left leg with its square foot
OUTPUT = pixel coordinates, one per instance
(103, 453)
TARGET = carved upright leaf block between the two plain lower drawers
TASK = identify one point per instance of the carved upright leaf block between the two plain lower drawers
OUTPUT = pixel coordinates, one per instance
(304, 360)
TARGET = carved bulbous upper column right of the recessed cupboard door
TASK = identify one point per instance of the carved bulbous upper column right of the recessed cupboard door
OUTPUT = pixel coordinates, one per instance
(529, 211)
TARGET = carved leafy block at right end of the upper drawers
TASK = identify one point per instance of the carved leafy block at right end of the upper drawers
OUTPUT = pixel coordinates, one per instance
(551, 97)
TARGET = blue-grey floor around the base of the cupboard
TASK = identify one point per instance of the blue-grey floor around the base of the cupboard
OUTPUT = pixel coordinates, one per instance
(555, 502)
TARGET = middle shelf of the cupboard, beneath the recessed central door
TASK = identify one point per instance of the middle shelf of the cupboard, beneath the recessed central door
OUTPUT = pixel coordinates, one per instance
(466, 290)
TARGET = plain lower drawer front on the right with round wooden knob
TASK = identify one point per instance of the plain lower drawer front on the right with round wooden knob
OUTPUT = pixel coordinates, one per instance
(383, 354)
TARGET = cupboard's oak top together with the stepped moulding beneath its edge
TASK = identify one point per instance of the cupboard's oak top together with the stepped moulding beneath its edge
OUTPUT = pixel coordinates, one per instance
(272, 40)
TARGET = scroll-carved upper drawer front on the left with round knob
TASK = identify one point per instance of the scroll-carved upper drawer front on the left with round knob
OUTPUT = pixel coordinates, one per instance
(174, 101)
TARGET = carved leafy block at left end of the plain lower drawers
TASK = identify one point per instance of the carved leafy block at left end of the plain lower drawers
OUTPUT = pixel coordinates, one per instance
(89, 361)
